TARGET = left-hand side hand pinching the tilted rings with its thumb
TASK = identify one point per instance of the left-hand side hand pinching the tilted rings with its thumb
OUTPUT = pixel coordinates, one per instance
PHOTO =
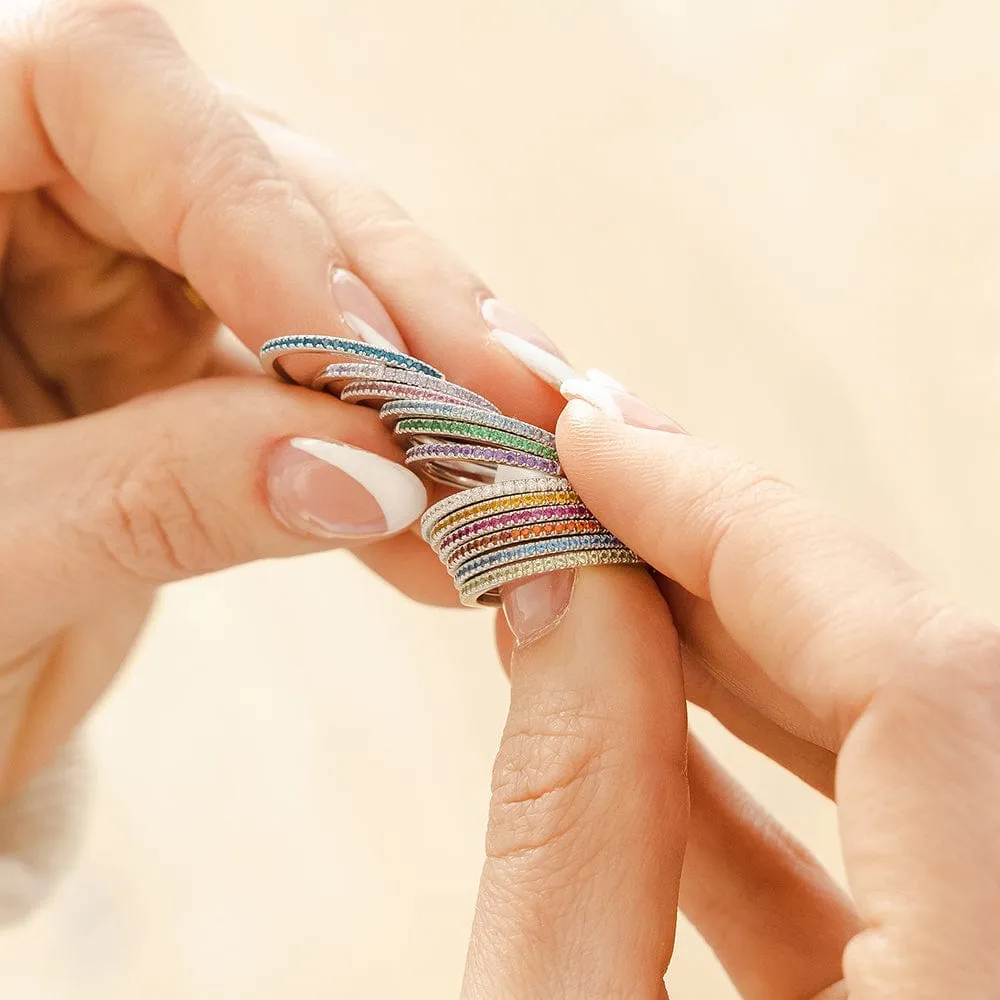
(143, 216)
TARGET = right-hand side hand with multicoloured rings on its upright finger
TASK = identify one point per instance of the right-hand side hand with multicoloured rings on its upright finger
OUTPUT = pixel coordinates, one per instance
(810, 641)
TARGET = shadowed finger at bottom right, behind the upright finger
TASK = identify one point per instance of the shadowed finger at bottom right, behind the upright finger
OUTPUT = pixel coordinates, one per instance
(767, 908)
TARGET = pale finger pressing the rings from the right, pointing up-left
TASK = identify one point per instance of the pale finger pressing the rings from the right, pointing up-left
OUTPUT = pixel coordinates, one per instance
(825, 610)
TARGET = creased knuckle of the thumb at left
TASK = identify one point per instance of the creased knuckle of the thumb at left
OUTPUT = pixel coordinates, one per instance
(151, 527)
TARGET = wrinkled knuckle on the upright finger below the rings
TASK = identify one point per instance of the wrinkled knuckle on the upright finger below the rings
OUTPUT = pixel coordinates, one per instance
(547, 783)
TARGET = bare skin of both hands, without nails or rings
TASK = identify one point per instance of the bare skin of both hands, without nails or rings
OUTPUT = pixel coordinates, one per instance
(807, 639)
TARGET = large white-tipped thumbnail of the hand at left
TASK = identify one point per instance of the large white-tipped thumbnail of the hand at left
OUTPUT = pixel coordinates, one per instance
(333, 490)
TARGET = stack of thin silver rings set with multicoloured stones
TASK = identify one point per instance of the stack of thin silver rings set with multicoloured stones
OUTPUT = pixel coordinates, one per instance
(514, 517)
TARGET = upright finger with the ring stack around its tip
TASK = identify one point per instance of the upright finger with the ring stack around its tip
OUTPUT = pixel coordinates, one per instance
(589, 812)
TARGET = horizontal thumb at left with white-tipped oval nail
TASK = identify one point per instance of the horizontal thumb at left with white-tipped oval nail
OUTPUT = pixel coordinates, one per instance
(181, 483)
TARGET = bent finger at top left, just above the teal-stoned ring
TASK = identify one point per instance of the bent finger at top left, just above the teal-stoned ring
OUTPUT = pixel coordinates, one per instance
(193, 185)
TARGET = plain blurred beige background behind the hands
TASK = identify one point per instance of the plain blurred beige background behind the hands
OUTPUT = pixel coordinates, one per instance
(790, 206)
